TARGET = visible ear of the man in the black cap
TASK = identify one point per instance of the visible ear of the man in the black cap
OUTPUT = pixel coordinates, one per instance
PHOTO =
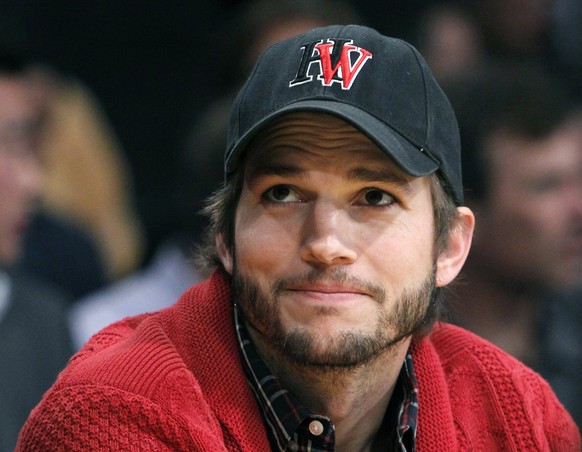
(451, 260)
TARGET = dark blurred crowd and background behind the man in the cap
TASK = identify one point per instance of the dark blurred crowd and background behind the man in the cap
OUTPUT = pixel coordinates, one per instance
(129, 105)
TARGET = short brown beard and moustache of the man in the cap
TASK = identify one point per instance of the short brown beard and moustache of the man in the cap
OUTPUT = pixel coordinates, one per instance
(412, 312)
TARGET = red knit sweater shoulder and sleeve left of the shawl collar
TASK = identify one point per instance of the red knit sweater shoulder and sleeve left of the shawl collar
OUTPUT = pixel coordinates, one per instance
(130, 384)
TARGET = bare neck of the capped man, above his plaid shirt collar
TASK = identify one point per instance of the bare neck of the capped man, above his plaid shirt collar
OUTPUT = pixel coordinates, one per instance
(355, 399)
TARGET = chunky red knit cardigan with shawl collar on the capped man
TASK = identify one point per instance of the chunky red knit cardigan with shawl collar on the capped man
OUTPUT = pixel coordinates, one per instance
(173, 381)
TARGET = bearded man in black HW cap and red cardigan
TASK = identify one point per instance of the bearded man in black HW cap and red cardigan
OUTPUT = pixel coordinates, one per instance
(339, 224)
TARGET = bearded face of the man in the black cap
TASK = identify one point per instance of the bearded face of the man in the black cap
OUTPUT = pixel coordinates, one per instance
(334, 244)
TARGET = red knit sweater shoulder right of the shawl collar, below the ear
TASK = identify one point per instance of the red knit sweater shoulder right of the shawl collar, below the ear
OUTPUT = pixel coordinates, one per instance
(487, 390)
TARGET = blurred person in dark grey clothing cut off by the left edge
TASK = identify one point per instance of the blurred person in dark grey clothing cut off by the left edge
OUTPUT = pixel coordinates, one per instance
(34, 340)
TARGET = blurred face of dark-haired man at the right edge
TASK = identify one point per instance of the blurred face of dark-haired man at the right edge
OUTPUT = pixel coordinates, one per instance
(532, 220)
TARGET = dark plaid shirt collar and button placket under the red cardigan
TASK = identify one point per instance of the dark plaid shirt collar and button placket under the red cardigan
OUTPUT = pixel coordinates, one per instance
(291, 427)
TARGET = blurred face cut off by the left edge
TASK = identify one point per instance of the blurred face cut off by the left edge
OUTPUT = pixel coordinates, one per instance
(19, 168)
